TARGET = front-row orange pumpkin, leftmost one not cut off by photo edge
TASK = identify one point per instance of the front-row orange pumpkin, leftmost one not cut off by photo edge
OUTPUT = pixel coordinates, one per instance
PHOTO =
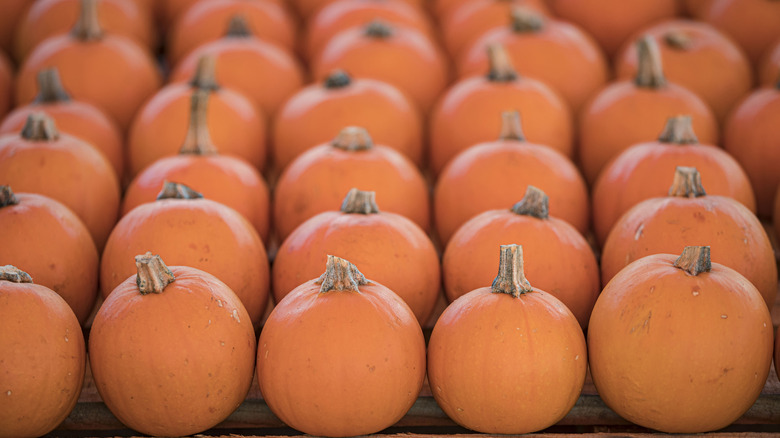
(171, 350)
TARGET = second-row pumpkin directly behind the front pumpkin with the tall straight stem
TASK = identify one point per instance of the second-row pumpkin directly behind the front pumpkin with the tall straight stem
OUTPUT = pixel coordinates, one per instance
(550, 245)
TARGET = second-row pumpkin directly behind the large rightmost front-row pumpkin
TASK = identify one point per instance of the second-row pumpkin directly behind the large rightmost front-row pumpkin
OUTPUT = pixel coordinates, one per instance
(688, 216)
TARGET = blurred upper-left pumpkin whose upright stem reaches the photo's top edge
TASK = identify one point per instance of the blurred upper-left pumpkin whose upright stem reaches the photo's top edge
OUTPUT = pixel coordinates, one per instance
(110, 71)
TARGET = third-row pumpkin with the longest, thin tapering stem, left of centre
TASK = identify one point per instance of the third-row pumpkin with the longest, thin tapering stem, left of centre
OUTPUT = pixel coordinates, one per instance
(223, 178)
